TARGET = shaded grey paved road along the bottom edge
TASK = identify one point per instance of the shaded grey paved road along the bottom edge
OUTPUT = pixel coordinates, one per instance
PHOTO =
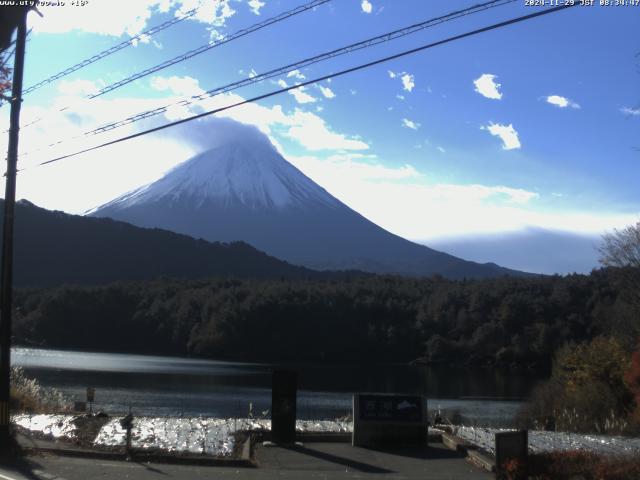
(315, 461)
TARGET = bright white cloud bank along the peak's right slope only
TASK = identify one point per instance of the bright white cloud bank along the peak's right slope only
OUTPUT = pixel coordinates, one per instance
(390, 196)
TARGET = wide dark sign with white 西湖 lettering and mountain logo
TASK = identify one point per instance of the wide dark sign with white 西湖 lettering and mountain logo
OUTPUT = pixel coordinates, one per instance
(380, 418)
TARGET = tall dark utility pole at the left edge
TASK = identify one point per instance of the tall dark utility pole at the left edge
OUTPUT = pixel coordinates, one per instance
(6, 286)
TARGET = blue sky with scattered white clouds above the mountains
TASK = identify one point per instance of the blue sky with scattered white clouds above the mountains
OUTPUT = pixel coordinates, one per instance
(533, 126)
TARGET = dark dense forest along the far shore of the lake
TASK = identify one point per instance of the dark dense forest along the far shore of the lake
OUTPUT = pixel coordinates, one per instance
(515, 322)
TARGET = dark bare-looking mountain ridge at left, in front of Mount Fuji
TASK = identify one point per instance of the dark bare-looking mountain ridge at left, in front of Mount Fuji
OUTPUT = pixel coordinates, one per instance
(52, 248)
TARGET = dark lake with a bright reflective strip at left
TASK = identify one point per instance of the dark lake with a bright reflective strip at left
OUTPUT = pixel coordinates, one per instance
(170, 386)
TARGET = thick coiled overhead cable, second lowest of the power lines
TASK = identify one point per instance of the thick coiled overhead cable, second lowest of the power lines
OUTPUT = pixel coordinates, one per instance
(370, 42)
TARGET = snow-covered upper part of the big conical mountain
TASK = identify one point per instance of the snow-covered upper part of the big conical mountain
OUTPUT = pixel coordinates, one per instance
(250, 173)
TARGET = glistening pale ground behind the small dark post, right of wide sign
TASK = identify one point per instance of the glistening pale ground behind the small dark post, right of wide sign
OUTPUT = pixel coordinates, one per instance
(540, 441)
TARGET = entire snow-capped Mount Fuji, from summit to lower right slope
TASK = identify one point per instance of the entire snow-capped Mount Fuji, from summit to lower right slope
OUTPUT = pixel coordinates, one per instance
(243, 189)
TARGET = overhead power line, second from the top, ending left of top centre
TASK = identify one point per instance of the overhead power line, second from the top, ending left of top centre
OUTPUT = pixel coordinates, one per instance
(197, 51)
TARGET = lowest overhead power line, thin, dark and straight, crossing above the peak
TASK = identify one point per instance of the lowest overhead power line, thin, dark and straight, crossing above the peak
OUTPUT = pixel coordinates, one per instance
(318, 79)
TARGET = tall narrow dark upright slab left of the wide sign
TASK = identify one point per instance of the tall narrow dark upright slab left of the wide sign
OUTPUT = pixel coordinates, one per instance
(283, 406)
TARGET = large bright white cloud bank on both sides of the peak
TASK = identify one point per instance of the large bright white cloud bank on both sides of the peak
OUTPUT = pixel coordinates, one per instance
(400, 198)
